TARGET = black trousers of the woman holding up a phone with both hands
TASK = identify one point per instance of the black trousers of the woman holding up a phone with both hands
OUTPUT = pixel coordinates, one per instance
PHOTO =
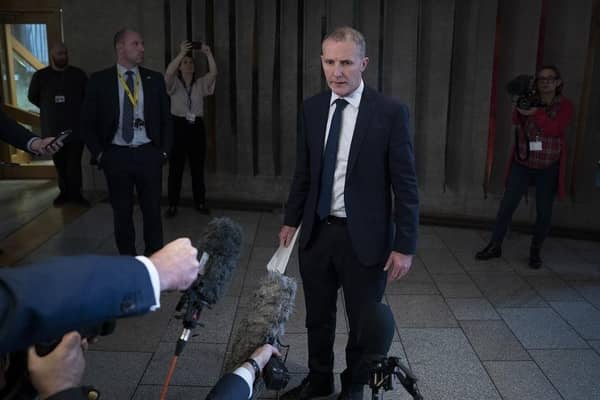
(189, 142)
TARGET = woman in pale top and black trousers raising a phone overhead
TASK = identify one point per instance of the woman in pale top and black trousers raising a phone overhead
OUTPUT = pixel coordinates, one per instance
(189, 137)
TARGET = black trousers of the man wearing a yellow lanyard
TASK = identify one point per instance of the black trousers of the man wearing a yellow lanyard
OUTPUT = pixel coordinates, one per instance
(140, 169)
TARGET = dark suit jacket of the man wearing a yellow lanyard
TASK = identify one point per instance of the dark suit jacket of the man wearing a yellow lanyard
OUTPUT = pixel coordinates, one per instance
(100, 111)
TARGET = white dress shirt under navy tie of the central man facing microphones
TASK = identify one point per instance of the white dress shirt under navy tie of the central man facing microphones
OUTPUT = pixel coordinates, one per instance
(338, 207)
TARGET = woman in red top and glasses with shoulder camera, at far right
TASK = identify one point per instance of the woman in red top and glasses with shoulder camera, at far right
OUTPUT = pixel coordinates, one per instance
(538, 157)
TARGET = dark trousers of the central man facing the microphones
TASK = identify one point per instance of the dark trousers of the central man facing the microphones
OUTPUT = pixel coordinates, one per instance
(326, 264)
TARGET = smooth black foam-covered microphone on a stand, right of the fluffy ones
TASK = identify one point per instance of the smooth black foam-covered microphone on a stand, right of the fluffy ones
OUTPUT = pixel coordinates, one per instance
(375, 337)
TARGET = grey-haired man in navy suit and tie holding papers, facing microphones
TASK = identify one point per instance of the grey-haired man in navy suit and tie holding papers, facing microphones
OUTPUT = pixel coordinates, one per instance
(354, 146)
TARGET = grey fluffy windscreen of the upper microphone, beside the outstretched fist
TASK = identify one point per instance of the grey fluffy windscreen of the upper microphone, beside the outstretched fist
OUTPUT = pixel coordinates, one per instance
(221, 240)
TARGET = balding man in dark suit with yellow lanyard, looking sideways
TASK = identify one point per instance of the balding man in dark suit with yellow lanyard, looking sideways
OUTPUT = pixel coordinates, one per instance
(127, 128)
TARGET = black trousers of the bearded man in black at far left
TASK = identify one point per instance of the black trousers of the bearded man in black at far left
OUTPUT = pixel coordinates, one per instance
(68, 168)
